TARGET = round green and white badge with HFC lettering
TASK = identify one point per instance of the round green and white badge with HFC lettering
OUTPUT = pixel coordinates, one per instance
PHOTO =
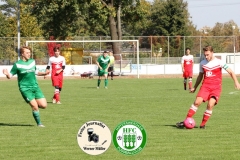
(129, 137)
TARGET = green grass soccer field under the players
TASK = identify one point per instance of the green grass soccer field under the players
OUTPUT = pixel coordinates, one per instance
(157, 104)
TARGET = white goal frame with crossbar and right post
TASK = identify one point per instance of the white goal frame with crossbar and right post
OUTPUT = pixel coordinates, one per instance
(92, 41)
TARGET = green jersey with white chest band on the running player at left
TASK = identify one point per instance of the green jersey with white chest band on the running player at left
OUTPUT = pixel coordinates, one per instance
(25, 71)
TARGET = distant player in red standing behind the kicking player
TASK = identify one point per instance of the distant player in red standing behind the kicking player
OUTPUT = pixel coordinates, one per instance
(187, 68)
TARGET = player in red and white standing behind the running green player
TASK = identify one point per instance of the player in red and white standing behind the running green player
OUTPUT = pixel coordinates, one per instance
(57, 63)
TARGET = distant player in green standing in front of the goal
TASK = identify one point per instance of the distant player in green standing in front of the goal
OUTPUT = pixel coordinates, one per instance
(103, 63)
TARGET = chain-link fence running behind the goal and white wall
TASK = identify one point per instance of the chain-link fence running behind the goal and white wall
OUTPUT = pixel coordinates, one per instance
(152, 49)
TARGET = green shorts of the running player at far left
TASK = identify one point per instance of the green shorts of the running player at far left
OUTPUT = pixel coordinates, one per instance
(32, 93)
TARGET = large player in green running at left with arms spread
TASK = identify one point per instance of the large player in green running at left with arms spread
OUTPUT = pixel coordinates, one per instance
(25, 69)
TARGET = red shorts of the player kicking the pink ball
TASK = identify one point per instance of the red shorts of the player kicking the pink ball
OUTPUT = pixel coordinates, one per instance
(208, 91)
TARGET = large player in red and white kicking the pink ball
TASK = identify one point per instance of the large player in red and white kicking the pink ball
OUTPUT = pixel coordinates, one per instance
(211, 74)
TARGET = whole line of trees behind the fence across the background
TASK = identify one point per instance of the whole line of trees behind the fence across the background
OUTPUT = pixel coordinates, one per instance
(64, 19)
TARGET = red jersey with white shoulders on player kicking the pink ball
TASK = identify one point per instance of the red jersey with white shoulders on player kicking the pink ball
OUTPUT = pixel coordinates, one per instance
(212, 71)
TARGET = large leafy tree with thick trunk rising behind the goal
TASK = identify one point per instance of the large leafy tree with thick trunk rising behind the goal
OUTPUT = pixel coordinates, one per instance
(61, 19)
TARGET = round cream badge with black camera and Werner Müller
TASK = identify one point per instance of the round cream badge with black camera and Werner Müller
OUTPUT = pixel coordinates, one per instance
(94, 137)
